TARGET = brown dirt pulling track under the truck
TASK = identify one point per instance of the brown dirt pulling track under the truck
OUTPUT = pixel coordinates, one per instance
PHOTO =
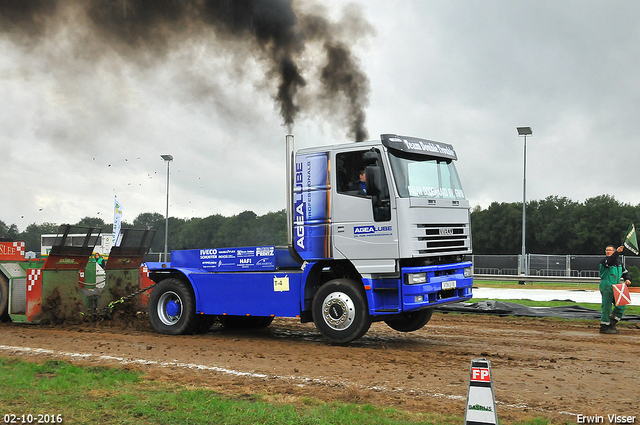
(541, 367)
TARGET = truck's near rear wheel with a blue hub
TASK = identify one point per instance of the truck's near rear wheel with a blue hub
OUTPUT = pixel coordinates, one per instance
(172, 308)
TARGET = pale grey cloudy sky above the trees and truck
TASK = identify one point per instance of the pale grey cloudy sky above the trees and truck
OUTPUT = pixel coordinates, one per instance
(84, 120)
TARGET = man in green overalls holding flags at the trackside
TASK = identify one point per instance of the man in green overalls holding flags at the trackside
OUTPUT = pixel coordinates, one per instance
(611, 271)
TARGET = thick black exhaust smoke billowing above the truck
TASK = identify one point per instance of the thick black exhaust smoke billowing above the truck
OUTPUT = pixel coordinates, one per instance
(146, 31)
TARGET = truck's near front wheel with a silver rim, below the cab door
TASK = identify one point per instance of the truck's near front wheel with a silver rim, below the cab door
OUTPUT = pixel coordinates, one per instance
(340, 311)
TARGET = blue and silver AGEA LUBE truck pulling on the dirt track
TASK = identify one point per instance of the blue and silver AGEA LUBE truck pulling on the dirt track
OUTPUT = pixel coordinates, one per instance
(378, 231)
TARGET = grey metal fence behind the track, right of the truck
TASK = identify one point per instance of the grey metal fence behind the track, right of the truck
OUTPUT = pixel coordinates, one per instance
(544, 265)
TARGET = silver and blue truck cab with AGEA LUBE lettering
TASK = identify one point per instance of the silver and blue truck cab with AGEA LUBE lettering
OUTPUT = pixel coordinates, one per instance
(411, 206)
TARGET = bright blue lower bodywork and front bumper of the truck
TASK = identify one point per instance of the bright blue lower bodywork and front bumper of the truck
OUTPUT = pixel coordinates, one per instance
(276, 287)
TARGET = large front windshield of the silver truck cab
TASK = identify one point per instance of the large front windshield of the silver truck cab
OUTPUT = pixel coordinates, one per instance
(425, 176)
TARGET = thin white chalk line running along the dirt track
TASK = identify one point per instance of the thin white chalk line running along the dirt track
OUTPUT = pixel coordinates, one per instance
(122, 360)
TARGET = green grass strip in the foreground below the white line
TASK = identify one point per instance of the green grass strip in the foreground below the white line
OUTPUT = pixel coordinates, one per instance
(88, 395)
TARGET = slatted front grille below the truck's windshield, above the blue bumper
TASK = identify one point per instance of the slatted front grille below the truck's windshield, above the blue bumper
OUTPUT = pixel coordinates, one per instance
(441, 239)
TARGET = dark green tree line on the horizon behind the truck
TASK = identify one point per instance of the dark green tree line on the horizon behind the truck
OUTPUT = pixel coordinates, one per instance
(554, 225)
